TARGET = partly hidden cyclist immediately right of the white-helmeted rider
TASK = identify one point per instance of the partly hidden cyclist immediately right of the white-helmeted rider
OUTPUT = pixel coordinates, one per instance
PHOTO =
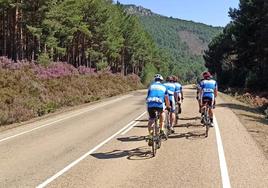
(171, 91)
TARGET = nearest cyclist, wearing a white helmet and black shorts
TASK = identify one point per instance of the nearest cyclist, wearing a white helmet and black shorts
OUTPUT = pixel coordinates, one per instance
(157, 96)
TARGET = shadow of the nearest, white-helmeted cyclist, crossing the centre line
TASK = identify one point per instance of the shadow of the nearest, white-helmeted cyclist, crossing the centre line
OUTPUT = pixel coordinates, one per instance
(140, 153)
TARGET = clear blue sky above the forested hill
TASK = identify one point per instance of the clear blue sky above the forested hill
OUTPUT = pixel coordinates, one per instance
(211, 12)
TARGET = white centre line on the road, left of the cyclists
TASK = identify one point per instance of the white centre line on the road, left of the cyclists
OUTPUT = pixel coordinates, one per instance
(52, 178)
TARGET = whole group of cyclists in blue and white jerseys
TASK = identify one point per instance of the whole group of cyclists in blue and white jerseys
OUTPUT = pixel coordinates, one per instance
(168, 95)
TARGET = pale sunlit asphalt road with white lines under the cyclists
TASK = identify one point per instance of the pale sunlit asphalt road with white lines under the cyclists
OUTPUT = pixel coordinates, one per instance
(102, 145)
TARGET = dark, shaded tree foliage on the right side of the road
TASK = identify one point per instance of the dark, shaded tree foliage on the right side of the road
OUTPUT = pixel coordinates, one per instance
(239, 55)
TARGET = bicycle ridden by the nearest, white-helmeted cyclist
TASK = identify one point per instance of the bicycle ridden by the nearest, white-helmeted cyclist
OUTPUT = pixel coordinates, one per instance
(156, 138)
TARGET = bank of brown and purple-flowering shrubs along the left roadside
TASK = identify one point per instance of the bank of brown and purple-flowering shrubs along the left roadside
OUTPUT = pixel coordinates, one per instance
(29, 90)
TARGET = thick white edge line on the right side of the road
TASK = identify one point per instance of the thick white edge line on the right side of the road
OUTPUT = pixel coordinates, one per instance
(223, 165)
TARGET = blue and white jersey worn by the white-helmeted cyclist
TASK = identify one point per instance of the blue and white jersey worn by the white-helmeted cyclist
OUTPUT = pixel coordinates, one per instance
(156, 95)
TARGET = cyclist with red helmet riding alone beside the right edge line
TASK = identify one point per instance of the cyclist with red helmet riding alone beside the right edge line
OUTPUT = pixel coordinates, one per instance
(209, 91)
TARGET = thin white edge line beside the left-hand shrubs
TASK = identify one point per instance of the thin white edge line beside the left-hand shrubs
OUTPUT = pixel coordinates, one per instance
(62, 119)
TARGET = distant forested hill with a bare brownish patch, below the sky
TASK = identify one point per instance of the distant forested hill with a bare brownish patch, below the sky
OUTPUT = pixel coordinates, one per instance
(184, 41)
